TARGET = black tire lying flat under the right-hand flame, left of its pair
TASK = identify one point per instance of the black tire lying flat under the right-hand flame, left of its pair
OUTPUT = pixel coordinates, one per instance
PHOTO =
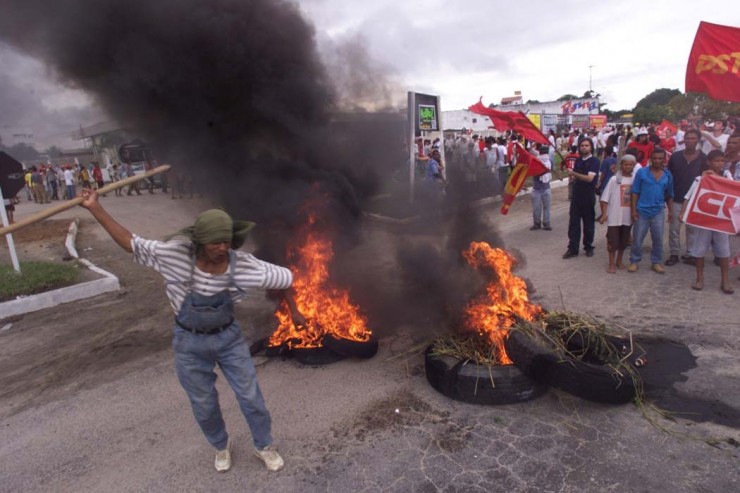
(475, 383)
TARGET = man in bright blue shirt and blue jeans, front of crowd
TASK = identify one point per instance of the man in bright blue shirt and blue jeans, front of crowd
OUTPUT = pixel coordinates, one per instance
(652, 189)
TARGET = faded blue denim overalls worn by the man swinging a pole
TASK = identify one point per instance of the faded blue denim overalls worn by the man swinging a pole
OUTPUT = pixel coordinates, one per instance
(206, 334)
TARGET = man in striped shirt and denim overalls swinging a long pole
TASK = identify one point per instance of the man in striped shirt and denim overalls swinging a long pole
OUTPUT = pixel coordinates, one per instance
(204, 277)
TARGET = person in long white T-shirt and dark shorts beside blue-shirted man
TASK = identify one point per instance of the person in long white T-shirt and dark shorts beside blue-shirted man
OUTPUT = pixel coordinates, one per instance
(616, 212)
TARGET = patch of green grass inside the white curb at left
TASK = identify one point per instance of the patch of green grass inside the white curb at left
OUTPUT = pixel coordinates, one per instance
(35, 277)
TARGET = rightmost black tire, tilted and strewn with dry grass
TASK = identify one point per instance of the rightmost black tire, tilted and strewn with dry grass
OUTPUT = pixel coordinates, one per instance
(598, 383)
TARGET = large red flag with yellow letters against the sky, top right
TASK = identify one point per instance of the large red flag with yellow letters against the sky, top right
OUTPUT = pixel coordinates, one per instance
(714, 62)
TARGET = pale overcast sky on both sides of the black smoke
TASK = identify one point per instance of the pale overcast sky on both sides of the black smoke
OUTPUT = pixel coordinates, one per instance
(459, 50)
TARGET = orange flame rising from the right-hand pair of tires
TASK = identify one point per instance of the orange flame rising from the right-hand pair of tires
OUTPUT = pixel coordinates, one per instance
(506, 297)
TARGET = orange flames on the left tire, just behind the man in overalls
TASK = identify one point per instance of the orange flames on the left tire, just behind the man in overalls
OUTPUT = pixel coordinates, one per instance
(327, 310)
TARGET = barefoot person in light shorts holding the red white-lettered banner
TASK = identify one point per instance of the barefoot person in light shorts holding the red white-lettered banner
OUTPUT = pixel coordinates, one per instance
(703, 238)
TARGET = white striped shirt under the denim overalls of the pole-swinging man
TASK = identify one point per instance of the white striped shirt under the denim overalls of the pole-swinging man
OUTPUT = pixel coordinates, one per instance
(173, 260)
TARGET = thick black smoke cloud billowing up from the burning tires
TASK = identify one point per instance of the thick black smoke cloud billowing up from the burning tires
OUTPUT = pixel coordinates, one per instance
(234, 93)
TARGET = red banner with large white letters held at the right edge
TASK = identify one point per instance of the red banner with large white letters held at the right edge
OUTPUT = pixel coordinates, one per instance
(711, 206)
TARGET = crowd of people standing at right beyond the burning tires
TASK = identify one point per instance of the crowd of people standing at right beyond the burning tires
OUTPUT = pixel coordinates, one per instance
(641, 178)
